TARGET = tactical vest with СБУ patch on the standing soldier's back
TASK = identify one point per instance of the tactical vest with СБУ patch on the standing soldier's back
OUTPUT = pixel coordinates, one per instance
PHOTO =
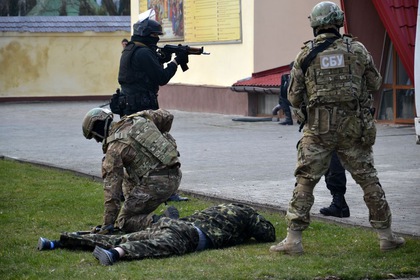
(335, 76)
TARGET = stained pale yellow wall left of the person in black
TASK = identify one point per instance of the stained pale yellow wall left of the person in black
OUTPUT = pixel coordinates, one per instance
(44, 64)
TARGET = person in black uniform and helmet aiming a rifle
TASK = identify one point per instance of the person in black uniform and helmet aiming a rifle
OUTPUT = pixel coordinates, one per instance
(142, 69)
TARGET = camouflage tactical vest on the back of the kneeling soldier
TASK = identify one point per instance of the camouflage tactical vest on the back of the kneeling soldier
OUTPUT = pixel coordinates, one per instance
(151, 146)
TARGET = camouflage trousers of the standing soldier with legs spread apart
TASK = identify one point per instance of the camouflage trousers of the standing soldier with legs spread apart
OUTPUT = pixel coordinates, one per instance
(314, 156)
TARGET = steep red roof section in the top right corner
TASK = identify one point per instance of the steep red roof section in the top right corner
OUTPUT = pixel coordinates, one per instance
(399, 19)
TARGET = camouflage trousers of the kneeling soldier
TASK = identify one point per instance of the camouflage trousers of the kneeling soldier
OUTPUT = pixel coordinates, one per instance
(144, 198)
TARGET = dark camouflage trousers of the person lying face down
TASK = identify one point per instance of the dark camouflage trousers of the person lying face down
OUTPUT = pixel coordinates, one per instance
(165, 238)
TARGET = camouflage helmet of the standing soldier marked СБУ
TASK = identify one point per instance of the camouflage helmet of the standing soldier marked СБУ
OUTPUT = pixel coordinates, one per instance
(326, 14)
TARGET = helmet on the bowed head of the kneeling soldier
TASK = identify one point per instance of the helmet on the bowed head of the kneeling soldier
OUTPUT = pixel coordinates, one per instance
(92, 117)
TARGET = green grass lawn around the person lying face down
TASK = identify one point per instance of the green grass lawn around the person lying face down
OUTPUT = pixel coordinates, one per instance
(37, 201)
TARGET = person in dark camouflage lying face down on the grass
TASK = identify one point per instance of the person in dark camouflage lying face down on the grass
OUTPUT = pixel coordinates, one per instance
(212, 228)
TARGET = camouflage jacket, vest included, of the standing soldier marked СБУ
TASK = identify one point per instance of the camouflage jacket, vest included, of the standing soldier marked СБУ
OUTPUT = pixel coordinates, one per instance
(338, 79)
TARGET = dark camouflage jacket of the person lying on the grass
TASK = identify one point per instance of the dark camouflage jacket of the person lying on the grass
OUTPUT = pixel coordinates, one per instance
(231, 224)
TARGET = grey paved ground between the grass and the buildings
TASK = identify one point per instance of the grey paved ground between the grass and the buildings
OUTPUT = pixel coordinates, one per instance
(247, 161)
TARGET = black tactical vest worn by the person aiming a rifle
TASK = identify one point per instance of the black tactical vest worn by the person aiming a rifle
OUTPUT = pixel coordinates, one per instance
(126, 74)
